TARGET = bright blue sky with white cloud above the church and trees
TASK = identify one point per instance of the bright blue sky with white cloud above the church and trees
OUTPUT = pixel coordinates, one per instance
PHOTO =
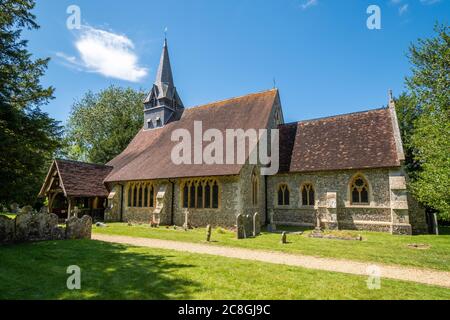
(320, 54)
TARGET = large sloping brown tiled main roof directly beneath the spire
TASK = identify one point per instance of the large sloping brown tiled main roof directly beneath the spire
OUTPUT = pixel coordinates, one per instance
(148, 156)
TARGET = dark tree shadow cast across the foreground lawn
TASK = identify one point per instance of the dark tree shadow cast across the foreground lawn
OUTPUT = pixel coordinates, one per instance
(108, 271)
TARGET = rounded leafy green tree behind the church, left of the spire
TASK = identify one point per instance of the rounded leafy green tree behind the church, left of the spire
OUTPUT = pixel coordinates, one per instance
(102, 125)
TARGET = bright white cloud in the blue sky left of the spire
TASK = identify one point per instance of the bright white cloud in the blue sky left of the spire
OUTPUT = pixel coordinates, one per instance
(107, 53)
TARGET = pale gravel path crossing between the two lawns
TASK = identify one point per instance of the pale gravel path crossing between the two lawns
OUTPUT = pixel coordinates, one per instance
(425, 276)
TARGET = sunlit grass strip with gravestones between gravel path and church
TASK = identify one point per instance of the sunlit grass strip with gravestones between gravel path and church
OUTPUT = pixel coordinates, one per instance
(376, 247)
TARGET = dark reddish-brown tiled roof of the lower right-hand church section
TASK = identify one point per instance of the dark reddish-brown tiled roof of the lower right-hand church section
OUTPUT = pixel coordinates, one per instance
(351, 141)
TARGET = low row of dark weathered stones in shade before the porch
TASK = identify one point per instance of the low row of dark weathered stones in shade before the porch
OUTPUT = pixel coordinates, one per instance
(29, 227)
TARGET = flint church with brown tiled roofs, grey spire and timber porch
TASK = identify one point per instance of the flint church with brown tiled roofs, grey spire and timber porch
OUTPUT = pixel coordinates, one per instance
(345, 171)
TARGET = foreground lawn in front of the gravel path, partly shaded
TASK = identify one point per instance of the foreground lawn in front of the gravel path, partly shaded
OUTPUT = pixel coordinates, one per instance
(113, 271)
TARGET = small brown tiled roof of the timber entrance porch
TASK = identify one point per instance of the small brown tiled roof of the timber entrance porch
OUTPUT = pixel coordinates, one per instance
(81, 179)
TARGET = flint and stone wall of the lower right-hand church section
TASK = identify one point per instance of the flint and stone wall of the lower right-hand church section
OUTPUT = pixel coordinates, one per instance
(379, 215)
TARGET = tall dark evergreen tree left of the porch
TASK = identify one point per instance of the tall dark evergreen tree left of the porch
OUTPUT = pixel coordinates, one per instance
(28, 136)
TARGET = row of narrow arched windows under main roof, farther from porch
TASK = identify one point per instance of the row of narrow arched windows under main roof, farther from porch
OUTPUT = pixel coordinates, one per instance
(200, 194)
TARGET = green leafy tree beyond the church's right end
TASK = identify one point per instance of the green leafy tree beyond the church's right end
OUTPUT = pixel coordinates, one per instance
(429, 103)
